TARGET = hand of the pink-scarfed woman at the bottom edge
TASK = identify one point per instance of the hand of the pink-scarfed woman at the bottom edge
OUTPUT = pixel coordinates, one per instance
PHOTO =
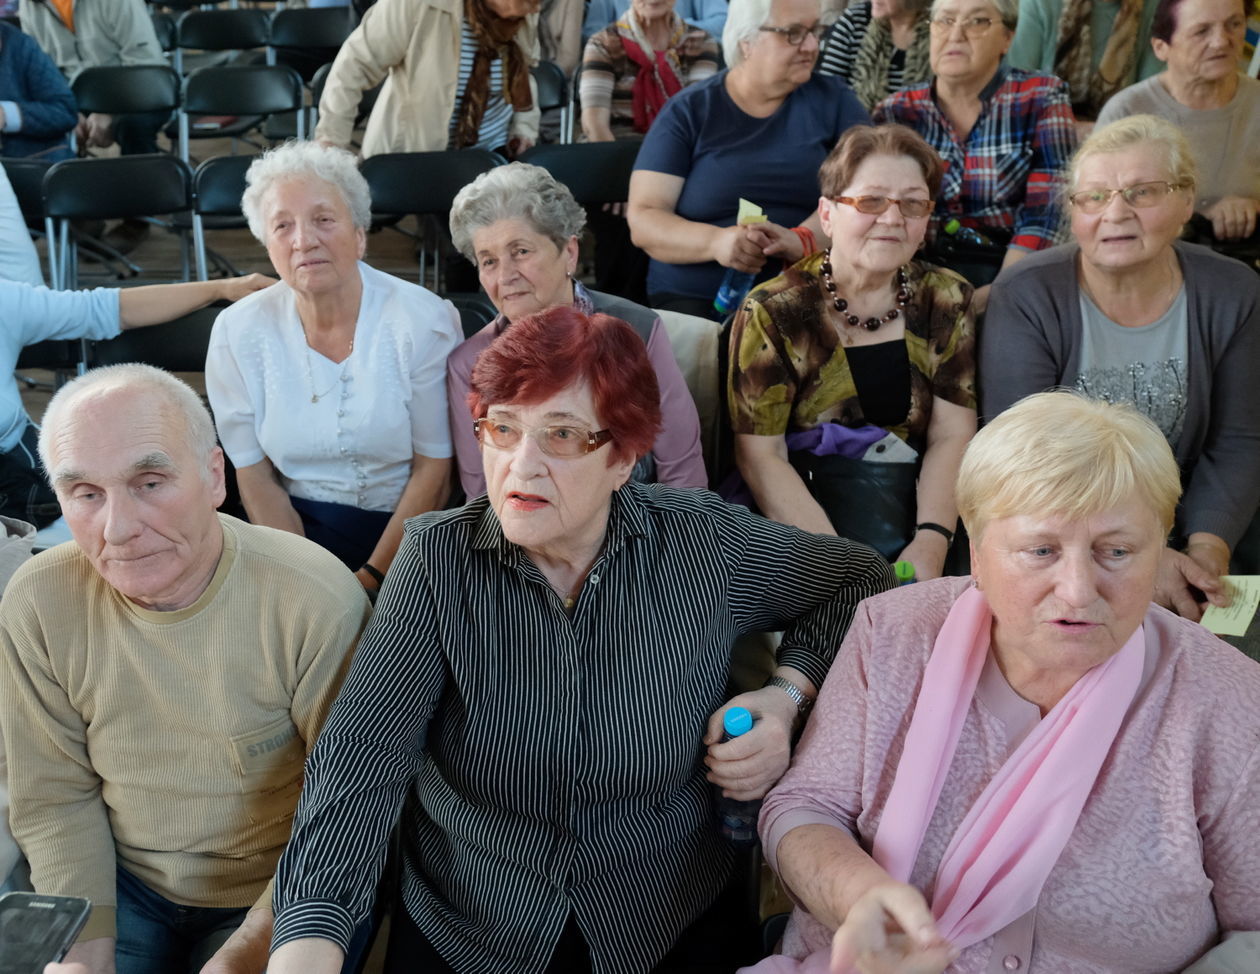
(890, 931)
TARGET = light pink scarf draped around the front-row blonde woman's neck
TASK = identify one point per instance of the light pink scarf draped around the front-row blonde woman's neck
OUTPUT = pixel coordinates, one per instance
(997, 862)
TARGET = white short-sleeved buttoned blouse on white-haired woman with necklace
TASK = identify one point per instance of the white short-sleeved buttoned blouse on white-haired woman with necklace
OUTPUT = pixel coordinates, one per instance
(342, 433)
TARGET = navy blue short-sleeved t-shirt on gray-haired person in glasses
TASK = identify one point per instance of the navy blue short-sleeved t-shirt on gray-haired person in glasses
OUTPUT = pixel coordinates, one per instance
(725, 154)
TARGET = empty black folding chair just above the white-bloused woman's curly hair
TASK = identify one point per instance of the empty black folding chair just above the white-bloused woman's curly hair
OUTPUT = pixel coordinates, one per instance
(248, 94)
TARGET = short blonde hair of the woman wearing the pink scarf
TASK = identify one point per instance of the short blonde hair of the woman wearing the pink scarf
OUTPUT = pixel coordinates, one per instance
(1064, 454)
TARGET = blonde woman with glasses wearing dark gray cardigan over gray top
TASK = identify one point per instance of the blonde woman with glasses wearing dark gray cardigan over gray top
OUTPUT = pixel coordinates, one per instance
(1130, 313)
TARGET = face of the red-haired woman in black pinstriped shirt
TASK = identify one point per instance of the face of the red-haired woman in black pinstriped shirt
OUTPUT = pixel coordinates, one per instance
(545, 503)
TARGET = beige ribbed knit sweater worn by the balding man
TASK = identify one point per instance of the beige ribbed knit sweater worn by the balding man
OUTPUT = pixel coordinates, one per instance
(169, 743)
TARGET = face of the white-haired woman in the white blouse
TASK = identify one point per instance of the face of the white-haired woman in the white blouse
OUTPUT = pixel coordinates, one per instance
(312, 239)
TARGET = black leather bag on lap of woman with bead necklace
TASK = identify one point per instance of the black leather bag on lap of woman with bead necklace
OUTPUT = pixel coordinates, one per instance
(869, 502)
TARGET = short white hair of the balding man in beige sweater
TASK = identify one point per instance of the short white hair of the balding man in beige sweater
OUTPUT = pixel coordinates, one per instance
(177, 394)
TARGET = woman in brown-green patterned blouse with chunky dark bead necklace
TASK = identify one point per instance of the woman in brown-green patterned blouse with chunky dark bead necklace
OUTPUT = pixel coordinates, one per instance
(852, 384)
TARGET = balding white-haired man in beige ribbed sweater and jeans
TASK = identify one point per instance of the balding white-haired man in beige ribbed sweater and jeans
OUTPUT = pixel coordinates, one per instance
(163, 679)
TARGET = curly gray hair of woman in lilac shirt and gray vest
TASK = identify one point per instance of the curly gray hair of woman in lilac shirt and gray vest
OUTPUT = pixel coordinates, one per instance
(517, 191)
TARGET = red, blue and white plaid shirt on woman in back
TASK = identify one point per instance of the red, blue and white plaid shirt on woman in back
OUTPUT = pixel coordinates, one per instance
(1007, 173)
